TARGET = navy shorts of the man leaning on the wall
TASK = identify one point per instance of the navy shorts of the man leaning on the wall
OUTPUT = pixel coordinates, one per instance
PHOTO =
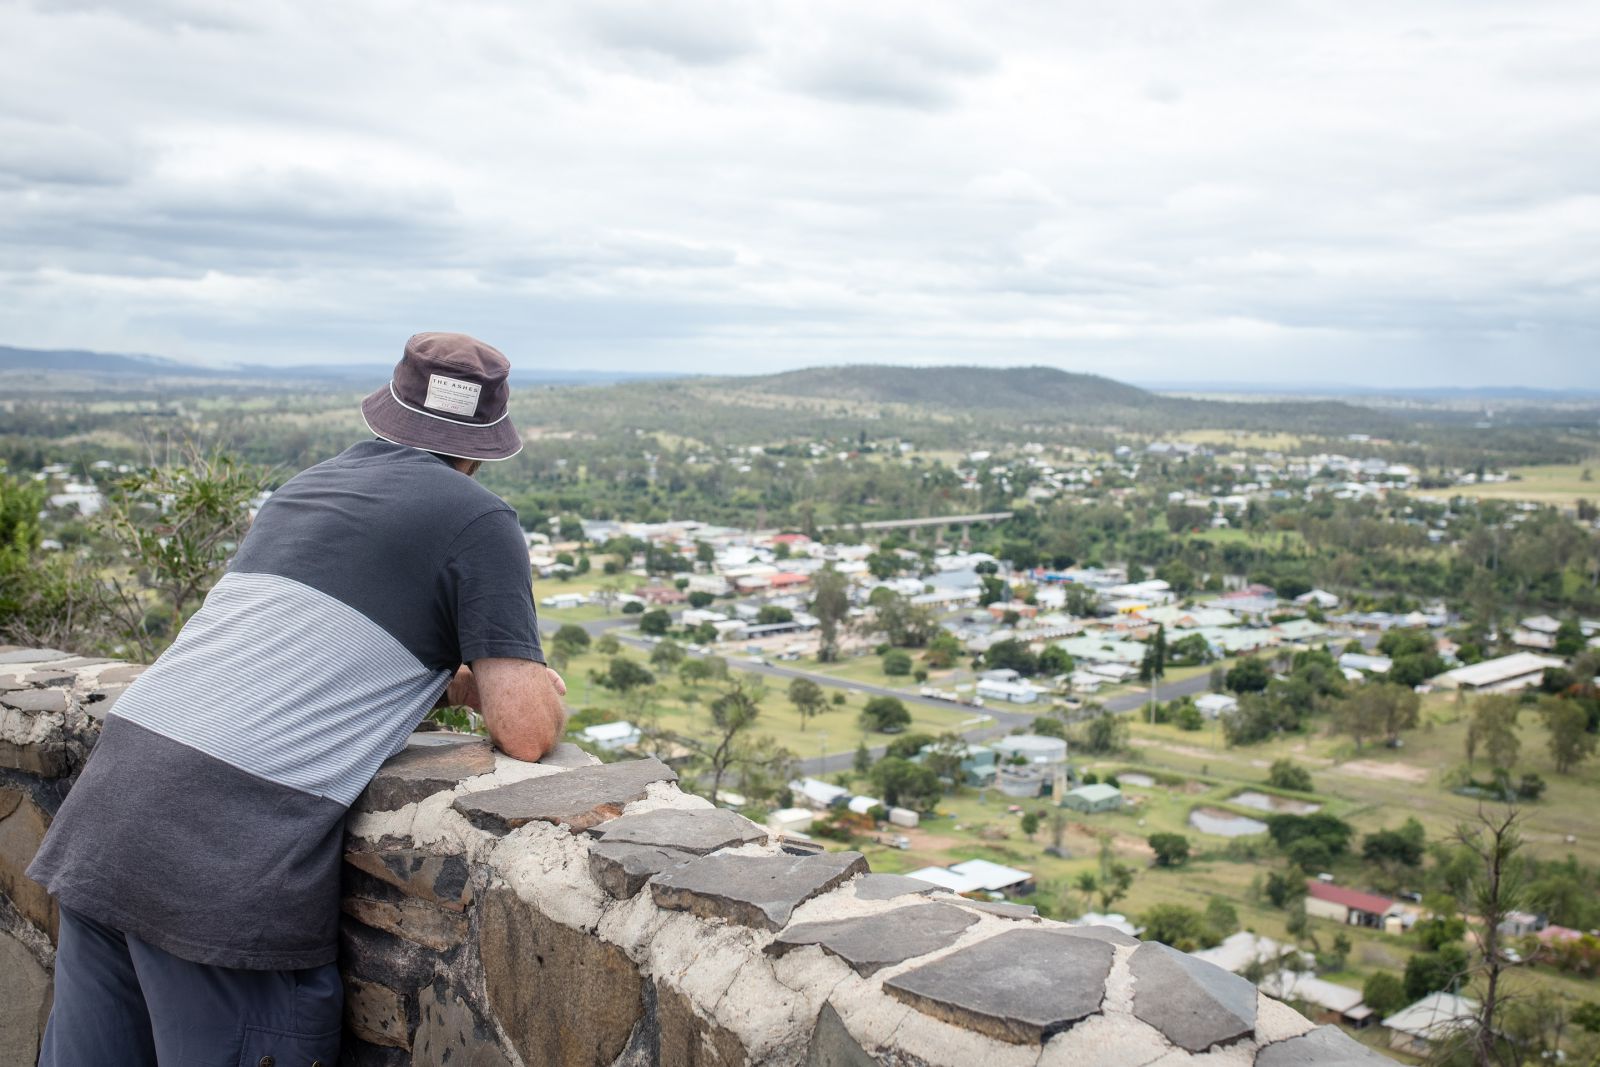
(121, 1001)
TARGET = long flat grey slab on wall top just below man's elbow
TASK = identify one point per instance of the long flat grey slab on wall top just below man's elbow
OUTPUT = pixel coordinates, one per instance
(577, 799)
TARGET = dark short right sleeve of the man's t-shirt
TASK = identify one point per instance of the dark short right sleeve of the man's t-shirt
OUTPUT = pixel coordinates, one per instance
(489, 589)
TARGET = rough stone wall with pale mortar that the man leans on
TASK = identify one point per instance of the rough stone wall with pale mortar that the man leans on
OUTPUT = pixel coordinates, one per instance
(572, 914)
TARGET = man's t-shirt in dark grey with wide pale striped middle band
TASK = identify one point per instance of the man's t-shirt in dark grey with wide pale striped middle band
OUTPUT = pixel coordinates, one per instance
(210, 817)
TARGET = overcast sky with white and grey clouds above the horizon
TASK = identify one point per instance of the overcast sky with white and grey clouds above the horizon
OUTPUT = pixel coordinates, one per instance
(1265, 191)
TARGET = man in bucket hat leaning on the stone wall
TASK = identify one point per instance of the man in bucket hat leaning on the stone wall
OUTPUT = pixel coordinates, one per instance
(198, 858)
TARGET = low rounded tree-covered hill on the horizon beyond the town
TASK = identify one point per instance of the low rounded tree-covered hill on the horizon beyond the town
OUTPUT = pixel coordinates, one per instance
(954, 388)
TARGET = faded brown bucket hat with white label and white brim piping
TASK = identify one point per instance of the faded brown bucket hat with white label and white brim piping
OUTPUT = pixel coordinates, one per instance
(447, 396)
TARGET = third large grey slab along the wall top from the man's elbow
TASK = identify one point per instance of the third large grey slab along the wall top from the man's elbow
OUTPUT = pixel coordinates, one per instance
(758, 892)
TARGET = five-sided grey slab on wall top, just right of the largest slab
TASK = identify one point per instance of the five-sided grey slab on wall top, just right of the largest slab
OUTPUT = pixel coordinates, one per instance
(1194, 1004)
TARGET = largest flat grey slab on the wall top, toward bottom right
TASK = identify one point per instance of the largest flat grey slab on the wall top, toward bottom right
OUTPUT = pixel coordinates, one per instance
(1023, 986)
